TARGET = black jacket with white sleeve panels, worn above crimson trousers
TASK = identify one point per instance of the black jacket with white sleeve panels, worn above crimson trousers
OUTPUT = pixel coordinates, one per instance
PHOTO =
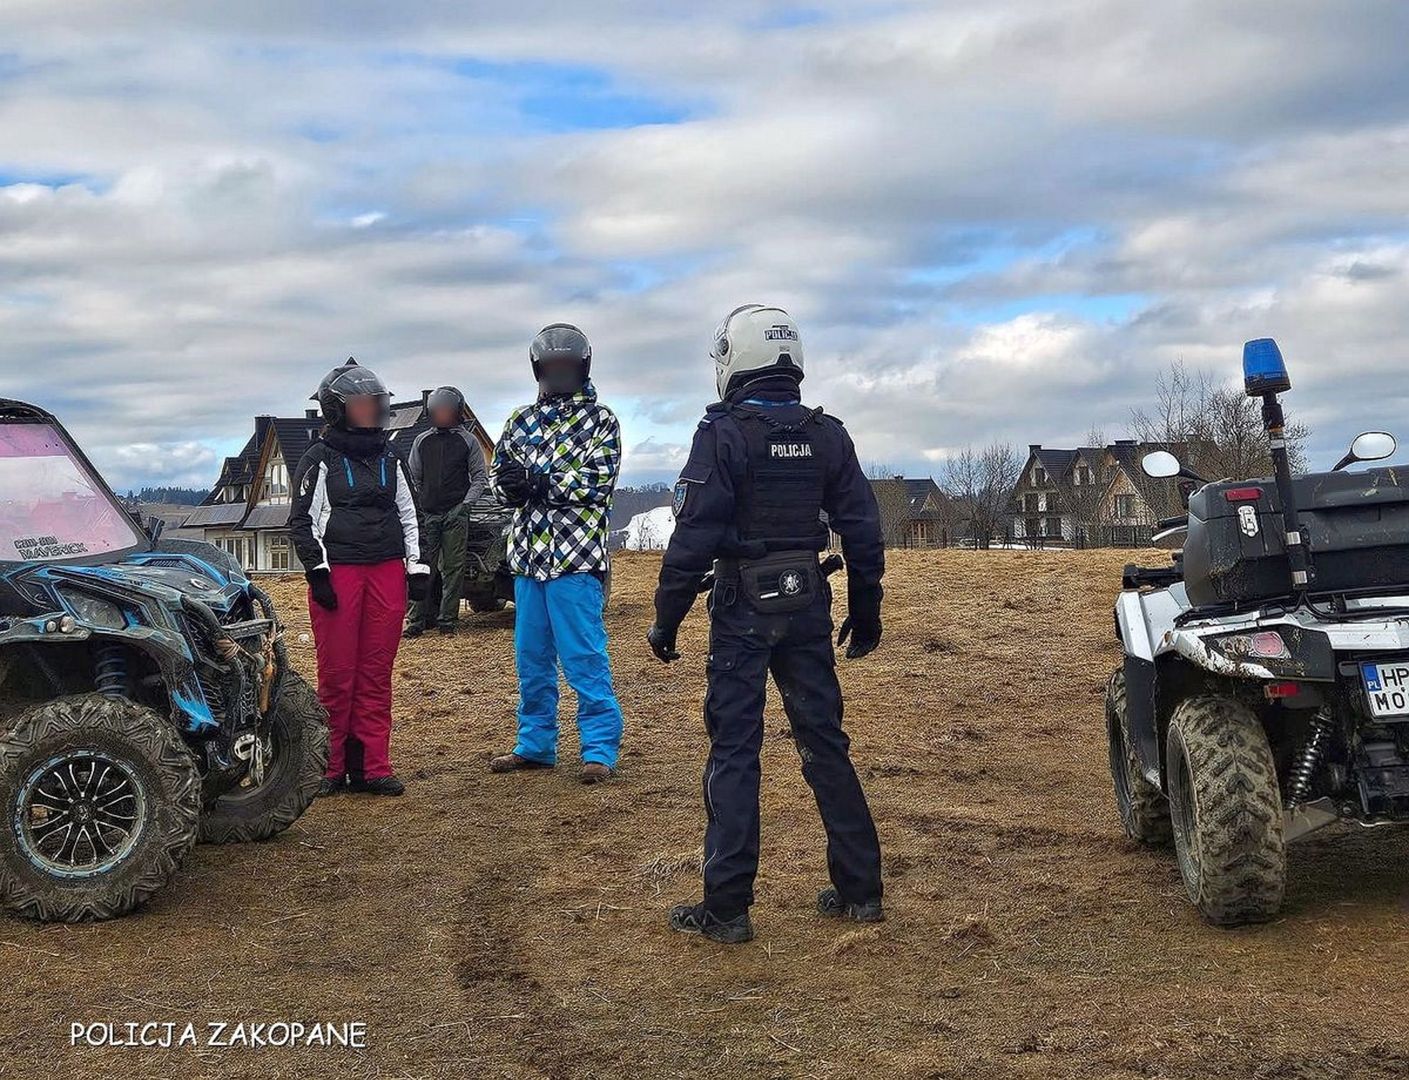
(353, 503)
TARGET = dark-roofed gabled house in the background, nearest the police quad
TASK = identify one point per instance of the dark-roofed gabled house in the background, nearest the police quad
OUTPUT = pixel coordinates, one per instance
(1091, 495)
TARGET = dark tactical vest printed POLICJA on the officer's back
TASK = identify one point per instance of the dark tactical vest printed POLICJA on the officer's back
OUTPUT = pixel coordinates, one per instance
(780, 499)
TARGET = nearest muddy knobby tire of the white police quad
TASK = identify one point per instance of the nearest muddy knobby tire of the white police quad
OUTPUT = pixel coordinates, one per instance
(1227, 810)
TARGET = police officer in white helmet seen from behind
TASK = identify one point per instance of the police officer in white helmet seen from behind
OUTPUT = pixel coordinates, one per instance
(749, 505)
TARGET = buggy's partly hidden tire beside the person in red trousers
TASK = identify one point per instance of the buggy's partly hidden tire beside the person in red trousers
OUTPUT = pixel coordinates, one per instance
(299, 760)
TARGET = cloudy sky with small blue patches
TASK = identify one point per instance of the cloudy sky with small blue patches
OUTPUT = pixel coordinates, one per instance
(991, 219)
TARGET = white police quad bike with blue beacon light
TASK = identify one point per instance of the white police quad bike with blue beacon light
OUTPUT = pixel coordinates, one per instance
(1265, 691)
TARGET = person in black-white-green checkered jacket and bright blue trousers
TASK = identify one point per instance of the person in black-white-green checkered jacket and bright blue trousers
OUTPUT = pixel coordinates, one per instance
(557, 464)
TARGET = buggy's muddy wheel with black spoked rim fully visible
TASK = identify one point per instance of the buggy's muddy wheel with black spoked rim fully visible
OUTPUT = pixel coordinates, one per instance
(101, 803)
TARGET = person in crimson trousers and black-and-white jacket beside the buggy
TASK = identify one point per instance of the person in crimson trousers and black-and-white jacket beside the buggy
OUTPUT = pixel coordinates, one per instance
(356, 530)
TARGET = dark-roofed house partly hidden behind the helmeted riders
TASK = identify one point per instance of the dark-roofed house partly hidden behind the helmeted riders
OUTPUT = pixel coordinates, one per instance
(247, 512)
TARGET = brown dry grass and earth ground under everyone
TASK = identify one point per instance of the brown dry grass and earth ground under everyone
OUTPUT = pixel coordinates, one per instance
(516, 926)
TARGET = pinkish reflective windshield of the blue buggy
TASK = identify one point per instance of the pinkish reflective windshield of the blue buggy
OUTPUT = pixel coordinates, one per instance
(53, 508)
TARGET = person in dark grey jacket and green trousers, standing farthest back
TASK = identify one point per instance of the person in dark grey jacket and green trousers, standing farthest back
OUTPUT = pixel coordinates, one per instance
(449, 472)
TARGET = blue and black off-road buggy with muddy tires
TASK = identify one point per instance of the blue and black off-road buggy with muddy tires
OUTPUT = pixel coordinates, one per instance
(146, 699)
